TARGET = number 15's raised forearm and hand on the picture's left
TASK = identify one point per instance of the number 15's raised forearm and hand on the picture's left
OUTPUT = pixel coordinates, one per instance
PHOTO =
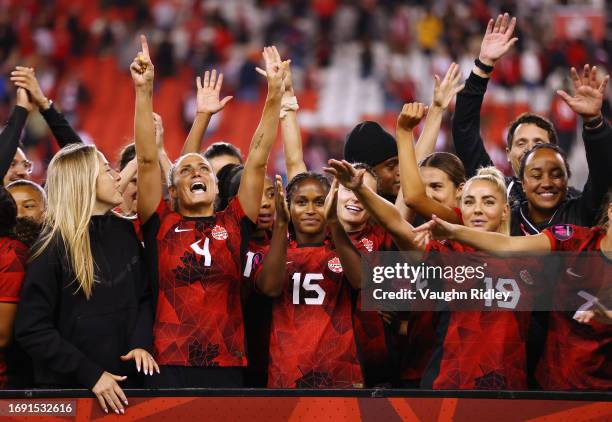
(270, 278)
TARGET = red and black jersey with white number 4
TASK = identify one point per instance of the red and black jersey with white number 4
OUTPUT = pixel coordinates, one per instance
(199, 320)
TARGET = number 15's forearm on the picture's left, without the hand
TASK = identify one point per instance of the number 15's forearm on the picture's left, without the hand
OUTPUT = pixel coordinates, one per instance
(270, 279)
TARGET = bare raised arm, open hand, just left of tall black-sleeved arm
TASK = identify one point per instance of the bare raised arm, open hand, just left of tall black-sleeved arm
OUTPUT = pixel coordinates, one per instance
(444, 92)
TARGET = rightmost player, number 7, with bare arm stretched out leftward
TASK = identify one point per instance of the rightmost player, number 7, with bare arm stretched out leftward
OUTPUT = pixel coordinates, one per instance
(576, 356)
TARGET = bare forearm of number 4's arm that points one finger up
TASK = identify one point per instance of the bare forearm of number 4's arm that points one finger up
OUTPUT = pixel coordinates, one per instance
(144, 127)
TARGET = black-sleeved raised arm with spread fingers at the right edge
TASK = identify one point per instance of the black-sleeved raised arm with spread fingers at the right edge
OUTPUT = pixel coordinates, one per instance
(596, 134)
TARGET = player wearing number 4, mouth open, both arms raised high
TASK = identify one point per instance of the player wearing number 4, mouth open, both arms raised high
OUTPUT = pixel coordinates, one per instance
(194, 253)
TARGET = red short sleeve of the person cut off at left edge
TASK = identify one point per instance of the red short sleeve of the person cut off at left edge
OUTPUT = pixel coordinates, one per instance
(12, 271)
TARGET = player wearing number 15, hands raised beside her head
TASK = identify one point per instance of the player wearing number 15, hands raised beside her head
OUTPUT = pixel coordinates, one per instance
(312, 341)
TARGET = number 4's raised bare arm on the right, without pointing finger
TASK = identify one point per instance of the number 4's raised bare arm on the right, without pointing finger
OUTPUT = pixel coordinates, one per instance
(252, 179)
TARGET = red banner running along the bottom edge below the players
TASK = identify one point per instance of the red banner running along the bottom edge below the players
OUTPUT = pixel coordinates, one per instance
(255, 409)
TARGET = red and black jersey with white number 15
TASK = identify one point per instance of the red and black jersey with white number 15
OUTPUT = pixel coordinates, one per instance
(312, 342)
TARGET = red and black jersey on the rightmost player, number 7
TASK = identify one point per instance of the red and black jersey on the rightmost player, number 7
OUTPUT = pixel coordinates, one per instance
(577, 356)
